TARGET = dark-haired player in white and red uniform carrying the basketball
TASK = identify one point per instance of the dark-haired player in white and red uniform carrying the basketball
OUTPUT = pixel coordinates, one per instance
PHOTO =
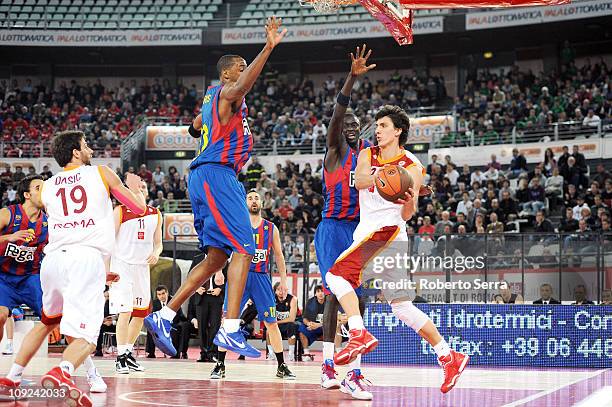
(382, 223)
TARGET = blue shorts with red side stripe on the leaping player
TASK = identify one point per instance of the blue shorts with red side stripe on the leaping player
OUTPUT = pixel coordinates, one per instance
(221, 216)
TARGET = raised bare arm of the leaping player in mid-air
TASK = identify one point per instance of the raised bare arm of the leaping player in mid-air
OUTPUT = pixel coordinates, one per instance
(236, 91)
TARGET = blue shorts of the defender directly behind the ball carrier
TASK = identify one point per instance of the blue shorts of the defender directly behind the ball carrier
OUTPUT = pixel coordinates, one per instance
(332, 237)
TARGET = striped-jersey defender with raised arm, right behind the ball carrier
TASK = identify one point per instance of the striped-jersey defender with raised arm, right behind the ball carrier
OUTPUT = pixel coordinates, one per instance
(340, 211)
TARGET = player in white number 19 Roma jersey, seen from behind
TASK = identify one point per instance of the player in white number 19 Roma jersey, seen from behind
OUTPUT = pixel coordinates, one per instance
(73, 272)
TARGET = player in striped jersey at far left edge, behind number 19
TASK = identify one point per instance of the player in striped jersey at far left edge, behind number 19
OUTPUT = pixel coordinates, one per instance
(24, 236)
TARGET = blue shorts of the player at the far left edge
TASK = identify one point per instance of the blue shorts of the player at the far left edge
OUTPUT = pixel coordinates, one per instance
(17, 290)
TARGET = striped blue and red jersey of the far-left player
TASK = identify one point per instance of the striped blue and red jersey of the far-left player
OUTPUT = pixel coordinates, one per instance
(23, 258)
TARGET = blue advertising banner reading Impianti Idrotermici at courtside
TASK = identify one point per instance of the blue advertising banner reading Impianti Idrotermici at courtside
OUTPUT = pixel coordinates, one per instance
(512, 335)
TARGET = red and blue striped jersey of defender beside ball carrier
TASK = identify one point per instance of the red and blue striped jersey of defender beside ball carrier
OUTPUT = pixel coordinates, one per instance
(341, 198)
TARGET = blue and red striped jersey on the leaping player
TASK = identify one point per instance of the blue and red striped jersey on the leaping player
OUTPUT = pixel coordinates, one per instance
(228, 144)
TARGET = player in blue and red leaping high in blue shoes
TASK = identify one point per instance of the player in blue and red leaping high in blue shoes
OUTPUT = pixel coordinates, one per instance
(221, 216)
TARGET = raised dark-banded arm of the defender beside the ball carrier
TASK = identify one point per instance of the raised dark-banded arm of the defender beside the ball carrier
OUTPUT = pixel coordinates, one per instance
(336, 143)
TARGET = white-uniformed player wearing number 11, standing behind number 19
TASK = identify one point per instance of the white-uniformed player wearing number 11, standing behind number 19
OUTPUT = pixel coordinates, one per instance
(138, 245)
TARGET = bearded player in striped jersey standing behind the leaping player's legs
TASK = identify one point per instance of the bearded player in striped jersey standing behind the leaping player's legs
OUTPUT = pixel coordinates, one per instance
(259, 287)
